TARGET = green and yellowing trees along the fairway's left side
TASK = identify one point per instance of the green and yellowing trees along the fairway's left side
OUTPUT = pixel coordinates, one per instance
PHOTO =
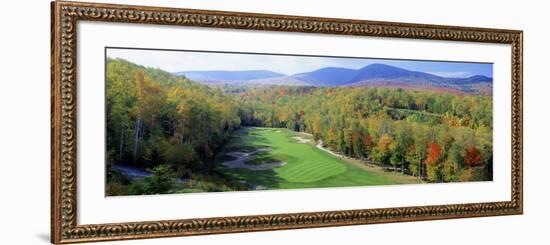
(154, 117)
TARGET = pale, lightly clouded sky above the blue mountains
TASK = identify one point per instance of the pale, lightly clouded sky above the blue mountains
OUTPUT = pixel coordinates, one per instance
(174, 61)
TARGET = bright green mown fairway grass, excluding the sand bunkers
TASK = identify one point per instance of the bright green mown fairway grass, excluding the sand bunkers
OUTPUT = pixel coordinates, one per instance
(306, 166)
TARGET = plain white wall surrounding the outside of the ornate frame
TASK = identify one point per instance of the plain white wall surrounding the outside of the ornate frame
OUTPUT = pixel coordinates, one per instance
(25, 138)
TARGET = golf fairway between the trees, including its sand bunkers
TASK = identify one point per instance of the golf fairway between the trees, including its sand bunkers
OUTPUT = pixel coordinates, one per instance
(296, 162)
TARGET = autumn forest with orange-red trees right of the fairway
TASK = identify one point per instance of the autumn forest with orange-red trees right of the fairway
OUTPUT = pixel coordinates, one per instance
(439, 137)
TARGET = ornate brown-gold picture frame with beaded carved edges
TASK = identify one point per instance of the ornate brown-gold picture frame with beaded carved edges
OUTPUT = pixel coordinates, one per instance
(66, 15)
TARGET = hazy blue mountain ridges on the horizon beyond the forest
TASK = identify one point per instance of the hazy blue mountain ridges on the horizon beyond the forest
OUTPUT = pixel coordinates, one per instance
(374, 75)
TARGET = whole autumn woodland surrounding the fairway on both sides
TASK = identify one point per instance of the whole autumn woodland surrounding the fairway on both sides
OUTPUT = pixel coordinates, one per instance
(176, 127)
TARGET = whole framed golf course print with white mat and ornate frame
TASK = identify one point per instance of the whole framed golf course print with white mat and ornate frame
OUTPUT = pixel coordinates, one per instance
(175, 122)
